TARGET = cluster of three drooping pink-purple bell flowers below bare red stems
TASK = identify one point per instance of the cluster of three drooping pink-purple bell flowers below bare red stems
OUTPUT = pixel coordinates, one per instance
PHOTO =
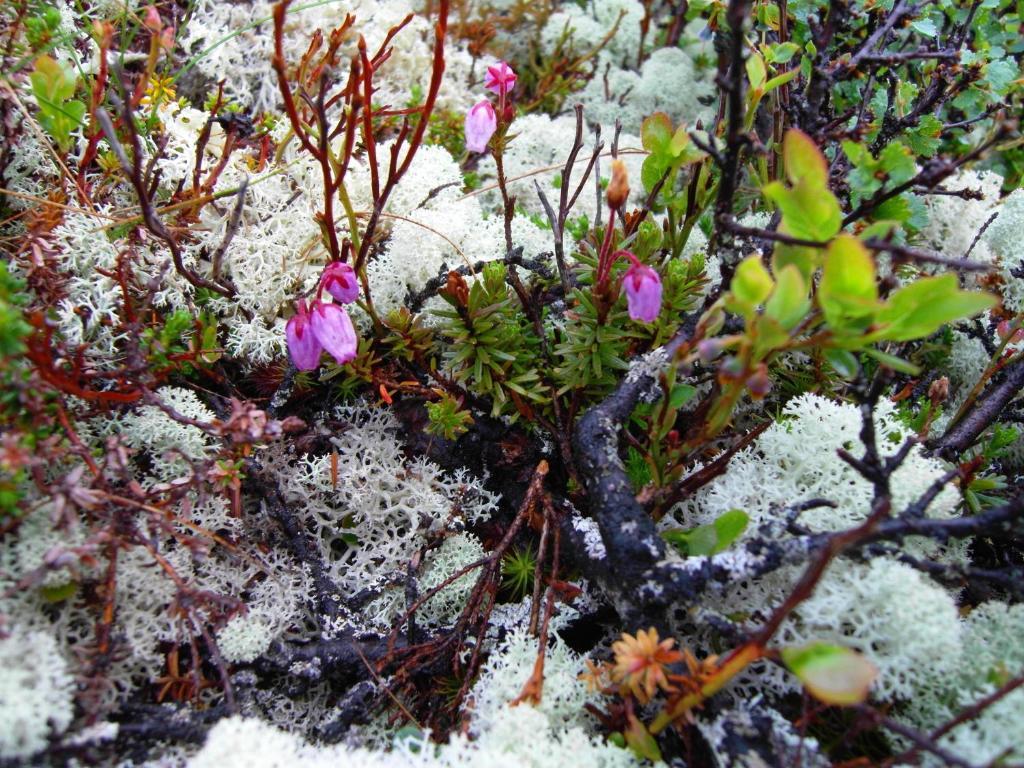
(325, 326)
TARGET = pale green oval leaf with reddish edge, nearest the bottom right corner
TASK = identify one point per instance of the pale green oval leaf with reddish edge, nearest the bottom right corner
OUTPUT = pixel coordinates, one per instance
(833, 674)
